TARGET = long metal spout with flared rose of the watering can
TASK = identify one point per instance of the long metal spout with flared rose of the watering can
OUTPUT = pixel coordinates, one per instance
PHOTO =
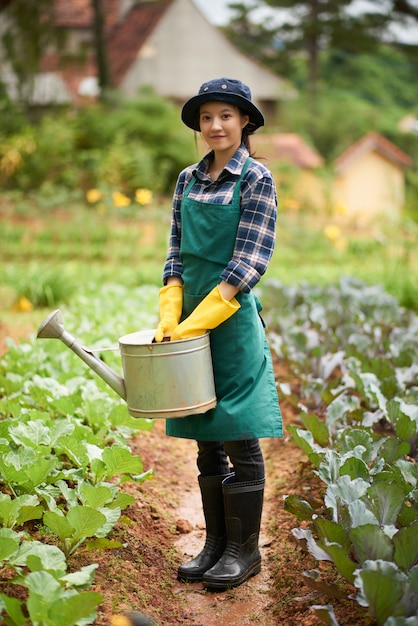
(53, 328)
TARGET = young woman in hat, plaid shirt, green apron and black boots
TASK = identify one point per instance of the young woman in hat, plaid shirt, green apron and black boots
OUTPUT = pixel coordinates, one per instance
(222, 239)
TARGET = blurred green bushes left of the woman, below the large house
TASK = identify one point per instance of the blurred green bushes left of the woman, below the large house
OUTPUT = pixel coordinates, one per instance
(119, 146)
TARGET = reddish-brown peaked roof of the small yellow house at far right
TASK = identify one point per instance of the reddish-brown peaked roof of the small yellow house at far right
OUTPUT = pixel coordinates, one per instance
(373, 142)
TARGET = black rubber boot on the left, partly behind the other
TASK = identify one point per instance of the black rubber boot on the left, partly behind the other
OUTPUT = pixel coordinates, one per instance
(213, 509)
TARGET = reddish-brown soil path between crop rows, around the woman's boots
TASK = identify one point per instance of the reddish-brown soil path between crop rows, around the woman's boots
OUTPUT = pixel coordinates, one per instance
(165, 526)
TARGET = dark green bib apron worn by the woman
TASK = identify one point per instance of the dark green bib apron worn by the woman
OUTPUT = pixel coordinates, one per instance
(247, 404)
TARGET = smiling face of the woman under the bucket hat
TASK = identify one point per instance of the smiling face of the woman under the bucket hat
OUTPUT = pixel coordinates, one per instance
(221, 126)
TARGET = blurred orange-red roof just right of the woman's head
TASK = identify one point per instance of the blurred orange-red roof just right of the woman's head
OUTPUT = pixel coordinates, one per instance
(288, 147)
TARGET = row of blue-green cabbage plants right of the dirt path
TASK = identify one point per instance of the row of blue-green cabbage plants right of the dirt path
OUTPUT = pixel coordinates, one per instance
(354, 353)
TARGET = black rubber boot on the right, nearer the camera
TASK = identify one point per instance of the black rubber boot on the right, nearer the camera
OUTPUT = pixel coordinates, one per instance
(241, 558)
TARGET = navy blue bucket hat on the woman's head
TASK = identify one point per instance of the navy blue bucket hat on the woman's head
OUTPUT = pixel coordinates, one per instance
(223, 90)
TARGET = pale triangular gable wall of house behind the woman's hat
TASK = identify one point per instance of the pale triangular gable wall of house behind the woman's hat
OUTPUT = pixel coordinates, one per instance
(185, 50)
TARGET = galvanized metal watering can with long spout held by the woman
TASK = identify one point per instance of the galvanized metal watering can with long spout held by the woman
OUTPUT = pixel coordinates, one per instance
(161, 380)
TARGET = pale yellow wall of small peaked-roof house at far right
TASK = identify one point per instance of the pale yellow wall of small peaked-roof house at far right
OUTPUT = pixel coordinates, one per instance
(369, 187)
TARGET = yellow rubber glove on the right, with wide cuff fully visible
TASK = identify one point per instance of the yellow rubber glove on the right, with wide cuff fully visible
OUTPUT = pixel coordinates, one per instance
(212, 311)
